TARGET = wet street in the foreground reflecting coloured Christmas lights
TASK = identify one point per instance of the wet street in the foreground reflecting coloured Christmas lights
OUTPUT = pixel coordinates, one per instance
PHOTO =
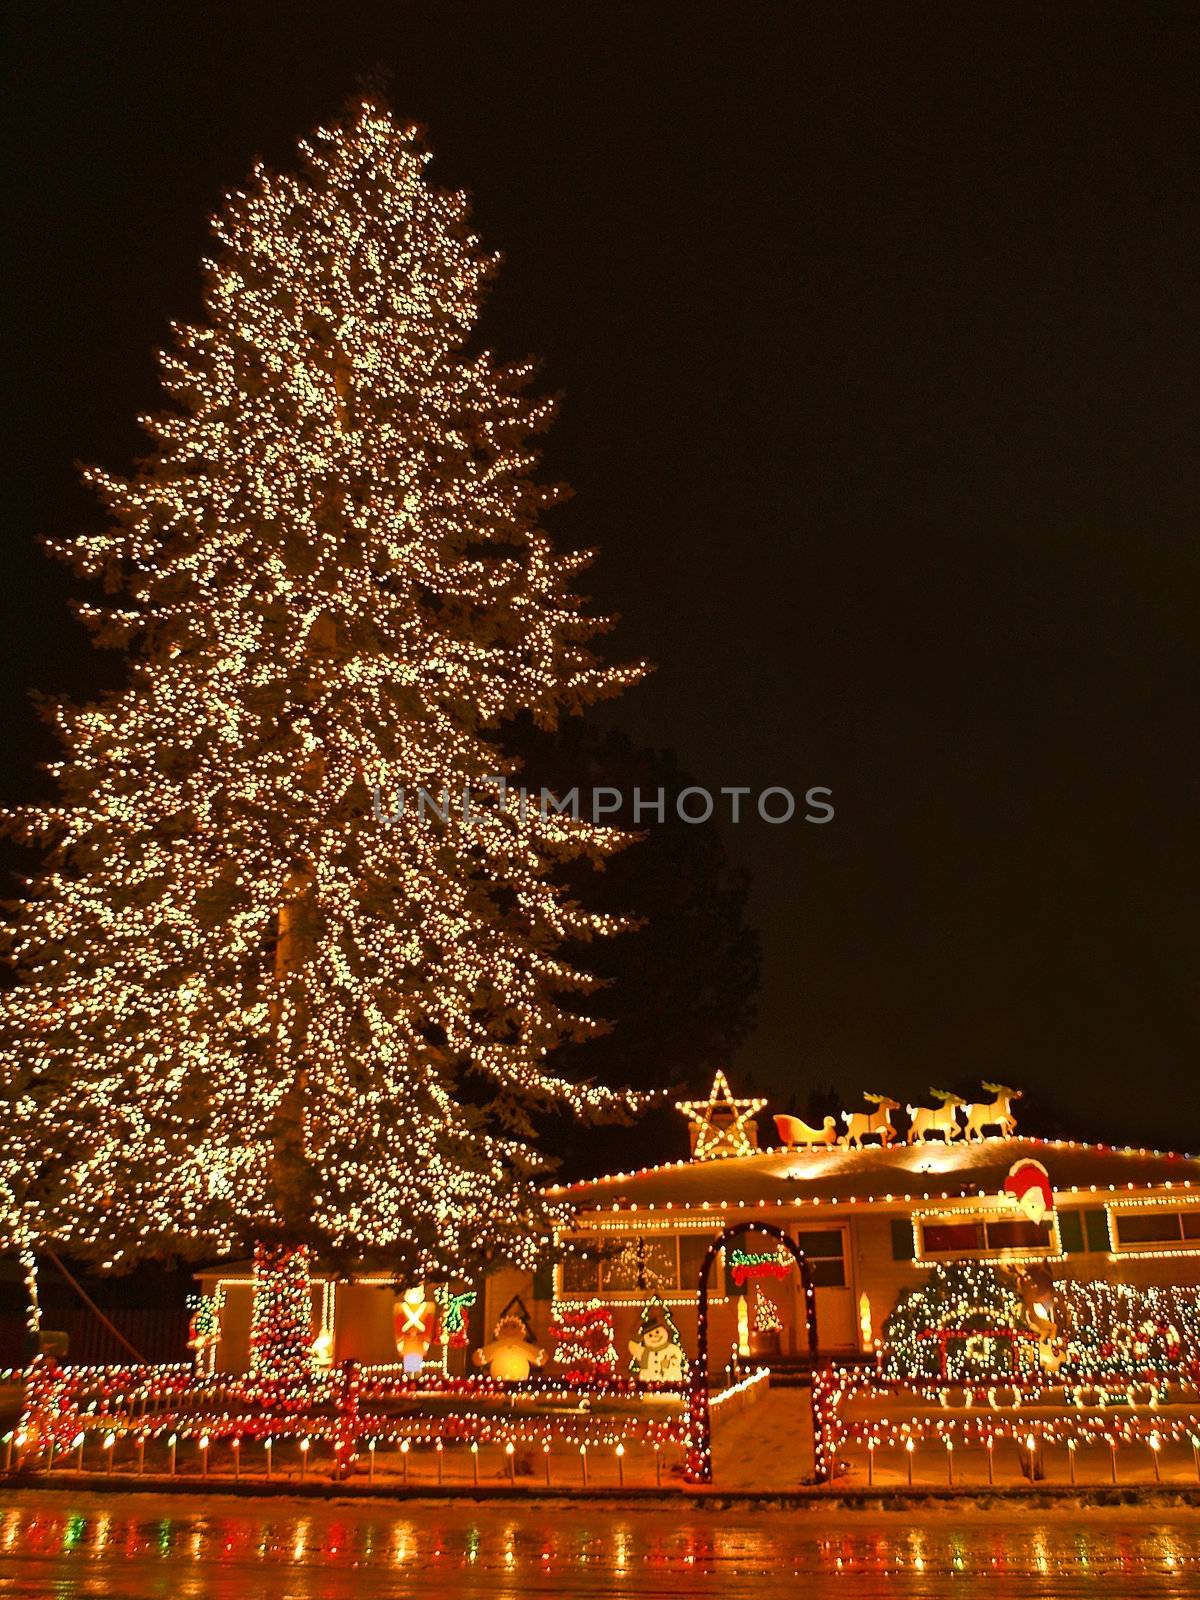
(143, 1548)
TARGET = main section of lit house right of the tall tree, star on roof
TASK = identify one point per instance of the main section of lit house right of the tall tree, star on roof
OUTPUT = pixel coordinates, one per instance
(871, 1222)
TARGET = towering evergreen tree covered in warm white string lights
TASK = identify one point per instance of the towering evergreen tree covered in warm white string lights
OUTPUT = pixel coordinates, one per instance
(247, 1007)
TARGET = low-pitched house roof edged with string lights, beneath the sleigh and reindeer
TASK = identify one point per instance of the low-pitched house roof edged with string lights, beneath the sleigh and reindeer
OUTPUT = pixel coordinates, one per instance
(902, 1172)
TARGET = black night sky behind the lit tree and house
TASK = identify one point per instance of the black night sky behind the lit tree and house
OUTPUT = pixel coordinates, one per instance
(878, 335)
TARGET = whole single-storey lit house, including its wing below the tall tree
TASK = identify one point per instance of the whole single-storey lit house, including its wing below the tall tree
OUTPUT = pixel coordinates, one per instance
(871, 1218)
